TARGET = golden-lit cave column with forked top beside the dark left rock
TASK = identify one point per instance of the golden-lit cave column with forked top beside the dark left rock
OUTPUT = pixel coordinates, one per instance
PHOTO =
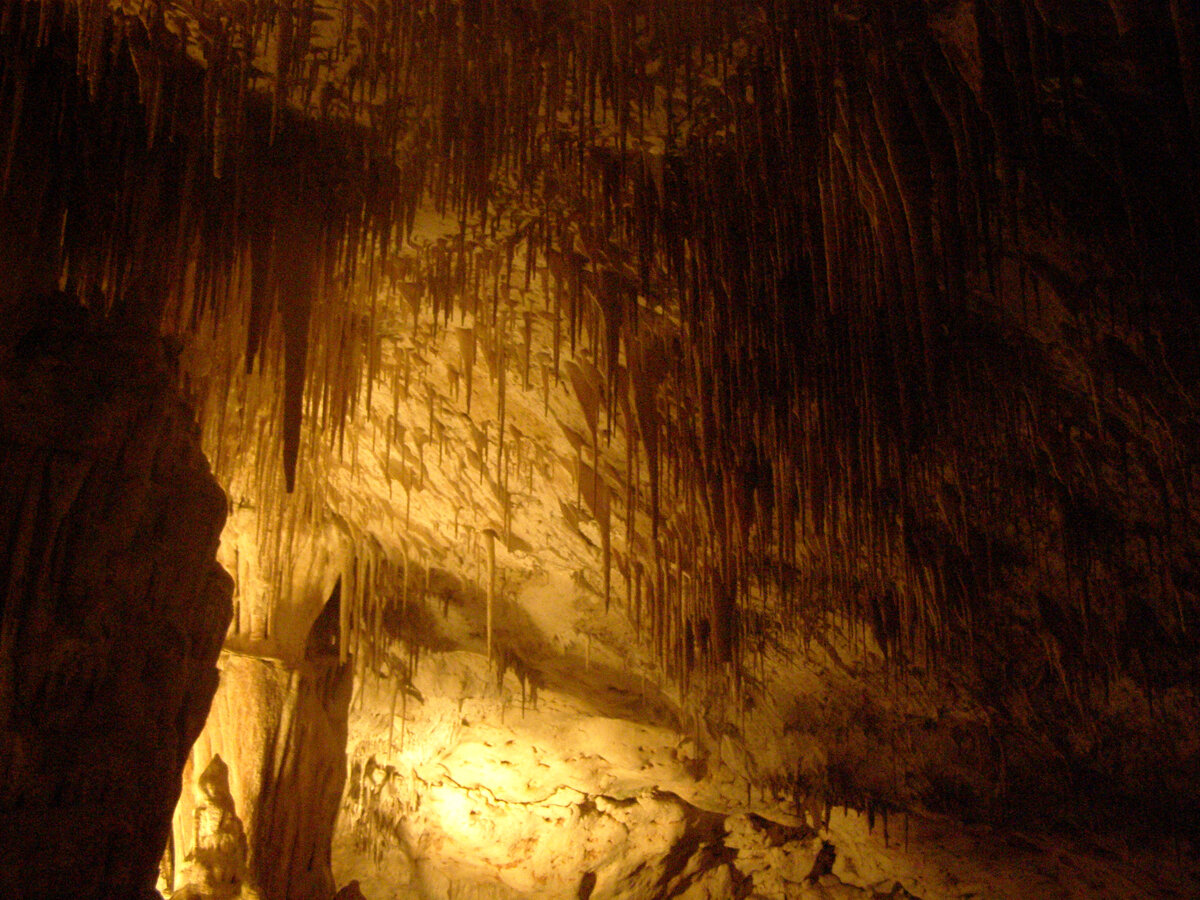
(279, 721)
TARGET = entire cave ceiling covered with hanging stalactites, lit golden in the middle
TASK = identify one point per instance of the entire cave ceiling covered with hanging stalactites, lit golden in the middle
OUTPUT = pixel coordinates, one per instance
(746, 325)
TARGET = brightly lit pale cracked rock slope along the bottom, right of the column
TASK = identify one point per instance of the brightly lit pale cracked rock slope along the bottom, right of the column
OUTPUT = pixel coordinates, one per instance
(467, 785)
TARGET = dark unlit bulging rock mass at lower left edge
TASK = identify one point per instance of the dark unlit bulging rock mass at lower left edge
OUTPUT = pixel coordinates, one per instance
(113, 607)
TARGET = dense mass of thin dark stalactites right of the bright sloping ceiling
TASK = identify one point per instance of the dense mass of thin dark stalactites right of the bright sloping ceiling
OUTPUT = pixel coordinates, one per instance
(797, 260)
